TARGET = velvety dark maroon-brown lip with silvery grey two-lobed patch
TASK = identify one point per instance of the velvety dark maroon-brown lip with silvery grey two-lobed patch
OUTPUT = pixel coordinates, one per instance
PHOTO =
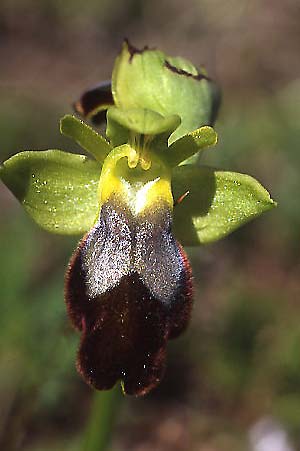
(125, 327)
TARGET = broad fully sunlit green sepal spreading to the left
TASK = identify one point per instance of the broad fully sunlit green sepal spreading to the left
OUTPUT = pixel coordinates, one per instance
(57, 189)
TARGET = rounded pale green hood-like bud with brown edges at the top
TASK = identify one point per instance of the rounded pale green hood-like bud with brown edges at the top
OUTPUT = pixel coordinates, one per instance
(149, 79)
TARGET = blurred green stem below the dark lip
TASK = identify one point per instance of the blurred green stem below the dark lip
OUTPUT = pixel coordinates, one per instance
(100, 425)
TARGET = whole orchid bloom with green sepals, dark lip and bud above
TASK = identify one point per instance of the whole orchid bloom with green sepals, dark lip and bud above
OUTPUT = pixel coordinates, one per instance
(139, 199)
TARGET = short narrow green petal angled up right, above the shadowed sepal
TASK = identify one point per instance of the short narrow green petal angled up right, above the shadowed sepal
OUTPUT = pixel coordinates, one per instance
(190, 144)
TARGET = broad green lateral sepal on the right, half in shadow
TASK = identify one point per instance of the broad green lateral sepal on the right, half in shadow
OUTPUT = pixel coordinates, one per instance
(217, 203)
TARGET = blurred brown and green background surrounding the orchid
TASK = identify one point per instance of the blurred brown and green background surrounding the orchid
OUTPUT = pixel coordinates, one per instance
(239, 362)
